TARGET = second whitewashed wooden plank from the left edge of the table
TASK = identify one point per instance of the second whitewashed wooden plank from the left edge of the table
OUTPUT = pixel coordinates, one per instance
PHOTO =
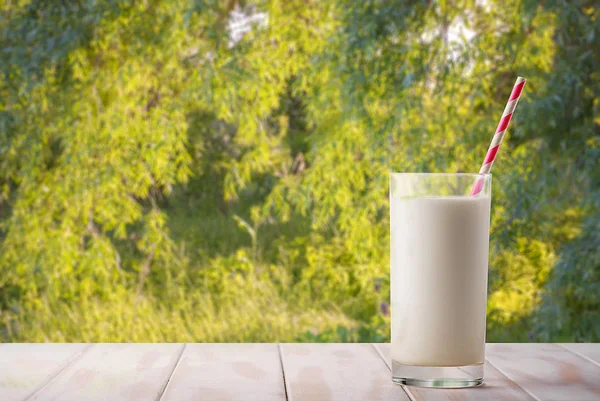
(116, 372)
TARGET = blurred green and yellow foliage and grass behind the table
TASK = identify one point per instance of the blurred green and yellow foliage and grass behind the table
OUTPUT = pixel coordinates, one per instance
(218, 170)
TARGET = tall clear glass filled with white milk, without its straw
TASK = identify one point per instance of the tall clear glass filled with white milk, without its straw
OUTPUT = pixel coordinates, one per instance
(439, 267)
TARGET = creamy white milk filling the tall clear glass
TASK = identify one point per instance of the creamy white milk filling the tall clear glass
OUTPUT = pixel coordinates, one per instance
(439, 262)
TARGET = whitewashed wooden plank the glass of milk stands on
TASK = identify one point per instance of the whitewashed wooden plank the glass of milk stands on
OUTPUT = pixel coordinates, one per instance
(496, 387)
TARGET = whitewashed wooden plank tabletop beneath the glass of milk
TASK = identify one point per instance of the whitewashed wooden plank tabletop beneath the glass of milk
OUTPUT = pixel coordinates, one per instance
(279, 372)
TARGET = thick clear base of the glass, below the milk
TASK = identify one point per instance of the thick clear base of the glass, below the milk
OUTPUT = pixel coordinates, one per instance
(438, 376)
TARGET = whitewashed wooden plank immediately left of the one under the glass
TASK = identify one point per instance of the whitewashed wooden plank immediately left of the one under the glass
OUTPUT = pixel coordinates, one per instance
(337, 372)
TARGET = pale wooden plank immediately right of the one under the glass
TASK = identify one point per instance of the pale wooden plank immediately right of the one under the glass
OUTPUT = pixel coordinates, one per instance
(547, 371)
